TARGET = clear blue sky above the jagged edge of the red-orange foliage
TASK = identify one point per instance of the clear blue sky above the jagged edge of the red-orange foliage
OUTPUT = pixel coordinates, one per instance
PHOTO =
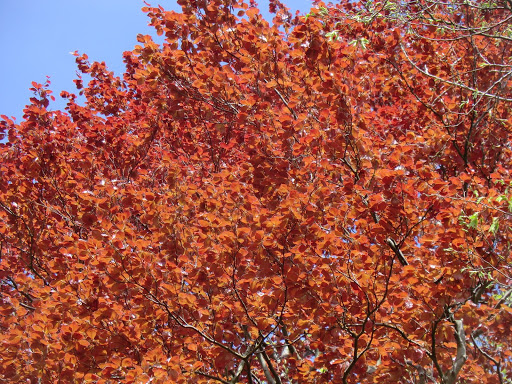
(38, 36)
